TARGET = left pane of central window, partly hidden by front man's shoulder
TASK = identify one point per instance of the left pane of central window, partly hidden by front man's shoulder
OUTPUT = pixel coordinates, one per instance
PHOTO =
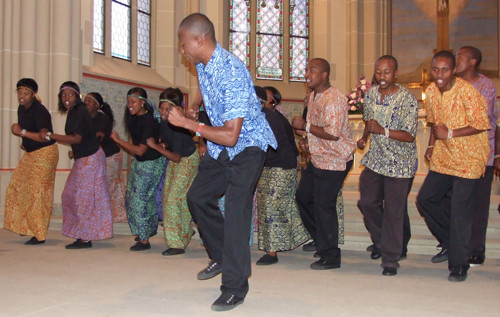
(239, 29)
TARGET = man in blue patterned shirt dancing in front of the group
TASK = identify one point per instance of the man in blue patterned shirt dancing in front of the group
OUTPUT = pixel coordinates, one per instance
(237, 141)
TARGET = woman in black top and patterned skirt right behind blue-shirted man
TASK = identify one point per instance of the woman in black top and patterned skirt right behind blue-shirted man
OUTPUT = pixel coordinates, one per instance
(280, 225)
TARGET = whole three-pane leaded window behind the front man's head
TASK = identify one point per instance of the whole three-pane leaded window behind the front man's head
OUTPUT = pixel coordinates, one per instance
(271, 23)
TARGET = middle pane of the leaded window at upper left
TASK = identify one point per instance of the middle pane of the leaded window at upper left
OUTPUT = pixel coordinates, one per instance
(120, 28)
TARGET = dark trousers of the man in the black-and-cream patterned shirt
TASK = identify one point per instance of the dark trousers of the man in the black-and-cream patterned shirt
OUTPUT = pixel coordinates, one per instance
(384, 205)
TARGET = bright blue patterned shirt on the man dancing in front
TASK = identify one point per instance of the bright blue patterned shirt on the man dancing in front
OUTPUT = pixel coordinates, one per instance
(228, 93)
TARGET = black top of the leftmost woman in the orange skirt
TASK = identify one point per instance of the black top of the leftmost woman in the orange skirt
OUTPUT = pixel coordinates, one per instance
(34, 119)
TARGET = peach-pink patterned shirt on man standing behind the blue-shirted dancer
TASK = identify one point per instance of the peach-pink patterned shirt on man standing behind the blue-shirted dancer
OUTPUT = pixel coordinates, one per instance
(329, 111)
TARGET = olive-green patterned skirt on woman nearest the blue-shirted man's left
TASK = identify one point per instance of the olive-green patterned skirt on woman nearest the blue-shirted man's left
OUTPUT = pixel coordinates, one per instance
(176, 214)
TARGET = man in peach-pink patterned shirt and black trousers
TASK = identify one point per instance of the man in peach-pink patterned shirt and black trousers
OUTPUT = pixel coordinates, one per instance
(332, 153)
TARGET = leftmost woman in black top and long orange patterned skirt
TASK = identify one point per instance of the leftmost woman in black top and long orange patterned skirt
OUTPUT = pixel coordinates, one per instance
(30, 194)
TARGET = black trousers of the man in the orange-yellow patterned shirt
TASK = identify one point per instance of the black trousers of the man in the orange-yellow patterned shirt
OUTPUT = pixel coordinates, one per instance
(451, 229)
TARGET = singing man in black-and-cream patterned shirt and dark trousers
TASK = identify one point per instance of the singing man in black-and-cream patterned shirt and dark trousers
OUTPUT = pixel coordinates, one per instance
(390, 164)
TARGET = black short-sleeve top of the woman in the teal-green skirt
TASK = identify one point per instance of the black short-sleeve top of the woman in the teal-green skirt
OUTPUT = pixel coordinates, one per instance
(141, 129)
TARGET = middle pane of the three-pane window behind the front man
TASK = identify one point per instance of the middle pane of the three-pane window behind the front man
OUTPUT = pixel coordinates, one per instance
(269, 40)
